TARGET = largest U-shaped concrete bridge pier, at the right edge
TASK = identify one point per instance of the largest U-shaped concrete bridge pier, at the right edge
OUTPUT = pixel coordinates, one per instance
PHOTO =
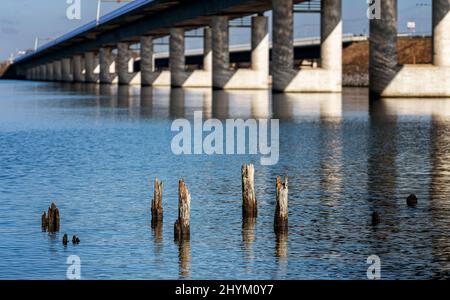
(389, 79)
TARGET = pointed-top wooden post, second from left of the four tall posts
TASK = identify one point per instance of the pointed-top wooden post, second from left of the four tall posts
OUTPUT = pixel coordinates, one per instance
(182, 225)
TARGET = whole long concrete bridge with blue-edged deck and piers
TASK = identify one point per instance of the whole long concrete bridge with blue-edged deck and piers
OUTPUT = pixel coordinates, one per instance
(86, 54)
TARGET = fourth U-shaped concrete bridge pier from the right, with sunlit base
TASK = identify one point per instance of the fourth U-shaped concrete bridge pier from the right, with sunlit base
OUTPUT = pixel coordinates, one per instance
(180, 77)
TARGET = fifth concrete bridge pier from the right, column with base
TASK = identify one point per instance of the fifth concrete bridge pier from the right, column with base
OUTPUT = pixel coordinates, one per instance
(150, 77)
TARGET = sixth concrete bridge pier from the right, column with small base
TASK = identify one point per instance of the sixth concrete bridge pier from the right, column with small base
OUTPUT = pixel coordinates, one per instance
(124, 62)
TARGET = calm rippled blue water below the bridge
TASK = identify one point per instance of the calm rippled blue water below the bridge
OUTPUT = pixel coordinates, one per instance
(96, 150)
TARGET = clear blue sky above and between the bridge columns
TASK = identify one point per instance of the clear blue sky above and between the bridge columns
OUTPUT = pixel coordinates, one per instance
(21, 21)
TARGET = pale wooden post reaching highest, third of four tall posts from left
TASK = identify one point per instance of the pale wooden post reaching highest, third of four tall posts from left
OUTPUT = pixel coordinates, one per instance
(249, 205)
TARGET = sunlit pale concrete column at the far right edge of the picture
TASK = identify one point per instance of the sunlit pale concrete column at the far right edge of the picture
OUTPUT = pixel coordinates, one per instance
(441, 33)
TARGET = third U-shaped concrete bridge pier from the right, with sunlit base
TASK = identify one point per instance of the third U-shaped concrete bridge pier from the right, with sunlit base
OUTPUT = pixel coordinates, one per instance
(257, 77)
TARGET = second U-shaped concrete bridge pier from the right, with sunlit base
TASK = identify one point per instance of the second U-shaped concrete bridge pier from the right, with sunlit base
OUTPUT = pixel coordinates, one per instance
(325, 79)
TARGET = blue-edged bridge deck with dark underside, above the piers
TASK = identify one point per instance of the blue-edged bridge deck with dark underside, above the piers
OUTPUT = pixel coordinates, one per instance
(144, 17)
